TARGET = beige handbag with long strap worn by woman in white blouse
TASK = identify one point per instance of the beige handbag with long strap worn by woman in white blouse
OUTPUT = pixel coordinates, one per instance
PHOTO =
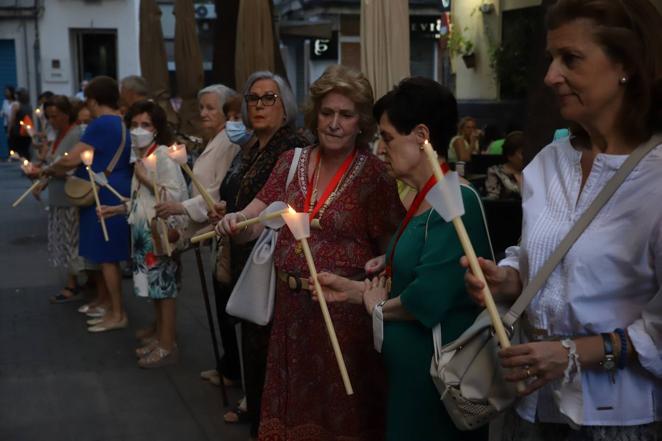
(467, 372)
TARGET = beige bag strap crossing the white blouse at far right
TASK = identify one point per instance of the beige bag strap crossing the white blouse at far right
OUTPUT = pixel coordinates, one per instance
(610, 188)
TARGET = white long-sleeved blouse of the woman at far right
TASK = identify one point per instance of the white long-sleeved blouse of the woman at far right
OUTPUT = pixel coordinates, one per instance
(611, 278)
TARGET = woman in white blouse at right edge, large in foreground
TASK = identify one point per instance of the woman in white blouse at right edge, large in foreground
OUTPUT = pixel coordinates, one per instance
(606, 294)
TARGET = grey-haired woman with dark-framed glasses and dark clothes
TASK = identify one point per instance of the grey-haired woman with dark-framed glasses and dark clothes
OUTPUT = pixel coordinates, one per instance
(268, 110)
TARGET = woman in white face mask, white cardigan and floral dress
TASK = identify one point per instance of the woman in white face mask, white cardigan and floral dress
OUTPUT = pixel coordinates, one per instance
(155, 274)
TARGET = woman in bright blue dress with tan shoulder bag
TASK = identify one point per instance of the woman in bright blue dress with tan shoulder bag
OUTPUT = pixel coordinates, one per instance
(111, 144)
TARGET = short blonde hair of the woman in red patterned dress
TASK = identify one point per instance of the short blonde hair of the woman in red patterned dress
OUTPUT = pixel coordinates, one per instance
(350, 83)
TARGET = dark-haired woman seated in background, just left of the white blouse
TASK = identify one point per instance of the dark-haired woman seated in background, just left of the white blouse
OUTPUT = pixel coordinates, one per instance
(504, 181)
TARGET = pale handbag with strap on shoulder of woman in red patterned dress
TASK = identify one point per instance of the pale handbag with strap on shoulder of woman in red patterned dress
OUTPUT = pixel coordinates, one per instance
(253, 296)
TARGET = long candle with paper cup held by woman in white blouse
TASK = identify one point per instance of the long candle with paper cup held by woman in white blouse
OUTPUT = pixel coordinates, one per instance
(469, 251)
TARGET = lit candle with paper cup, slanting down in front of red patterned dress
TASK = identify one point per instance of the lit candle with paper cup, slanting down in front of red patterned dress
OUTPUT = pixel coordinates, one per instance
(299, 225)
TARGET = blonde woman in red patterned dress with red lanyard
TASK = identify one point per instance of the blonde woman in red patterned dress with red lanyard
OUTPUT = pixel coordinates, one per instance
(349, 195)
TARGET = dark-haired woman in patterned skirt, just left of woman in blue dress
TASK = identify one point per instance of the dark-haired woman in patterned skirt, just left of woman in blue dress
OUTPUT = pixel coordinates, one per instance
(62, 216)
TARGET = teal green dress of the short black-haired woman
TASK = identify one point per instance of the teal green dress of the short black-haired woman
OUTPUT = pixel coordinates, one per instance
(429, 280)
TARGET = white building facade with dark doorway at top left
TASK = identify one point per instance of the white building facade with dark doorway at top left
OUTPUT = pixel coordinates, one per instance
(59, 43)
